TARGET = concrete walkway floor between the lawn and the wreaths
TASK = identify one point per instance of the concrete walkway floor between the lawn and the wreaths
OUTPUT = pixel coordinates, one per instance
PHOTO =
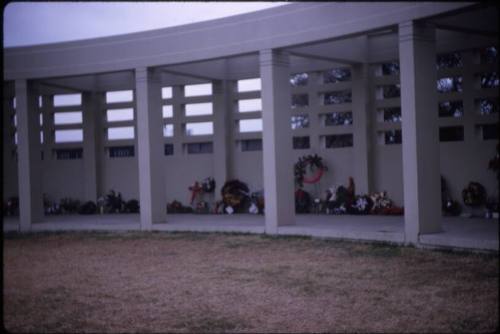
(467, 233)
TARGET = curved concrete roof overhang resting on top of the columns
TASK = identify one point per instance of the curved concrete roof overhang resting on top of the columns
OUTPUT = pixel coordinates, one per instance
(317, 35)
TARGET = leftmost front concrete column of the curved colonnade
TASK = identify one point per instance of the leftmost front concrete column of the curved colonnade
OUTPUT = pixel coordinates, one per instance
(28, 150)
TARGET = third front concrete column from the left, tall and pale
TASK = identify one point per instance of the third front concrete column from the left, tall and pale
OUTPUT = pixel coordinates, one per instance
(277, 140)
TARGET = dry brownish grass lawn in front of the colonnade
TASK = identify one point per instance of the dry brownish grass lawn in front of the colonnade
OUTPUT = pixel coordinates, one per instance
(193, 282)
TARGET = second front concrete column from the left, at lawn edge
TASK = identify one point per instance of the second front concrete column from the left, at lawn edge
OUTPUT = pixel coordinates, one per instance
(150, 147)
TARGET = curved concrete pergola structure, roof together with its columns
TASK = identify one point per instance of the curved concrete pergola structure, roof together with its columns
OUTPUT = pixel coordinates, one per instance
(270, 44)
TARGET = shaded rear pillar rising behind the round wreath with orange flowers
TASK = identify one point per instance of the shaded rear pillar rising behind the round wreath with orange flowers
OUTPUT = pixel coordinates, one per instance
(223, 132)
